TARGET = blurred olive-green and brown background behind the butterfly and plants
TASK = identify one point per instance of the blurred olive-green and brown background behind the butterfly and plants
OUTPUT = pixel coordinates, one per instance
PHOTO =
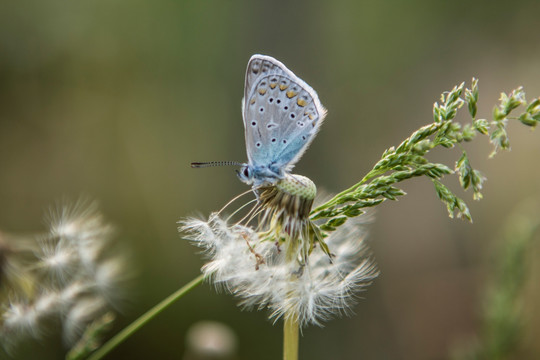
(114, 99)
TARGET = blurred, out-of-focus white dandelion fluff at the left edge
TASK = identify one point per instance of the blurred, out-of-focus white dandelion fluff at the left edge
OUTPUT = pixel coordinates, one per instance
(70, 275)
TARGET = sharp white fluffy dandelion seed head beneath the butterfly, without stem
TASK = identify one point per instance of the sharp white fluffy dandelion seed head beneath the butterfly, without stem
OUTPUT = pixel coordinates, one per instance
(284, 263)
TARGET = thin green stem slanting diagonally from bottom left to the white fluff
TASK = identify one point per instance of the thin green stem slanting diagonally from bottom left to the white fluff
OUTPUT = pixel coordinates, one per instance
(143, 319)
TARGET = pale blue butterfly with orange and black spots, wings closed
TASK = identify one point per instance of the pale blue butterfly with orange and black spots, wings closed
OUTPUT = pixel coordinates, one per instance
(282, 115)
